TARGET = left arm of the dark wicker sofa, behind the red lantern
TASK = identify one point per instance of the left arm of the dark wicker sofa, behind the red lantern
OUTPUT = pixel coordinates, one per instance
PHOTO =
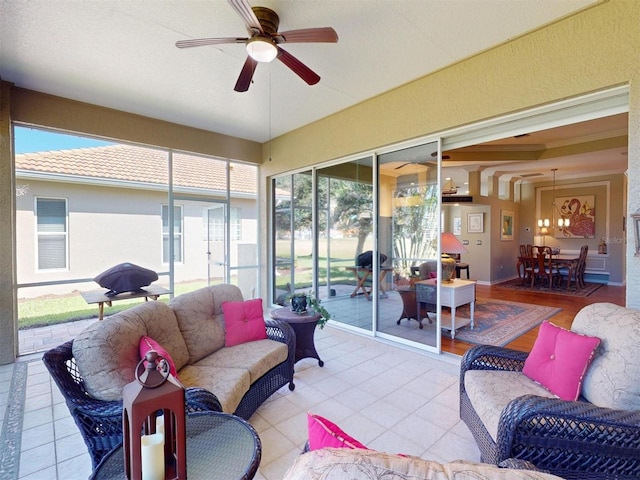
(100, 422)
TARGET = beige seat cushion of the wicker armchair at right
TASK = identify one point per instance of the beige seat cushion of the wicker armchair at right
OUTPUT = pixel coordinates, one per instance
(491, 390)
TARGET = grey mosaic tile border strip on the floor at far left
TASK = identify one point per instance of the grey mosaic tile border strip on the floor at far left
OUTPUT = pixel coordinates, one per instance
(12, 428)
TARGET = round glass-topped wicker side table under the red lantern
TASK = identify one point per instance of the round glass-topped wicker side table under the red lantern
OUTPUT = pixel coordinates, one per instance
(219, 445)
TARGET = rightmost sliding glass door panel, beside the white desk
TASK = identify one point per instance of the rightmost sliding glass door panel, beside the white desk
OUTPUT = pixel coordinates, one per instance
(409, 222)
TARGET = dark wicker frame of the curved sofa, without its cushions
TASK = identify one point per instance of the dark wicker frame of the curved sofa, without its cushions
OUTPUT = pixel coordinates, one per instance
(100, 422)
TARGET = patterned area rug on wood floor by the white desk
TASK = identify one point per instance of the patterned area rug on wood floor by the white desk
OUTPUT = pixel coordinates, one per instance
(498, 322)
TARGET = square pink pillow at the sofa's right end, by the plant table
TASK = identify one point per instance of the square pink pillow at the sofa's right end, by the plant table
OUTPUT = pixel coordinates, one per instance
(244, 322)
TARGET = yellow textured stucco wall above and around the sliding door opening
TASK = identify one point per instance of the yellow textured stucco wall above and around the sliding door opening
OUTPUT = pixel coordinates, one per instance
(593, 50)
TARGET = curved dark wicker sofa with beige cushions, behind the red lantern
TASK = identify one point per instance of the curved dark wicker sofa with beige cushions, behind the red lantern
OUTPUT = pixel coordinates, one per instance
(92, 369)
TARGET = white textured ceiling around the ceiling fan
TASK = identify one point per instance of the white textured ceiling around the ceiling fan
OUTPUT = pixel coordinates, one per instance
(122, 54)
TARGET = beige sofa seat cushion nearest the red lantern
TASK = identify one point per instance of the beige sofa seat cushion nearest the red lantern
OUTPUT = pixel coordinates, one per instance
(228, 384)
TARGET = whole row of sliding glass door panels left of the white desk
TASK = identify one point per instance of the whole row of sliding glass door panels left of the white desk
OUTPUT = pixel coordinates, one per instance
(355, 233)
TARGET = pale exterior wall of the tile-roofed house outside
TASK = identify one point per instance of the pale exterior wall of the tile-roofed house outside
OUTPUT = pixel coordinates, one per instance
(112, 225)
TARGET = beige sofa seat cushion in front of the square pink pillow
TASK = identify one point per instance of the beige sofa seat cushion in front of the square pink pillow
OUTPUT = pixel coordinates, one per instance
(256, 357)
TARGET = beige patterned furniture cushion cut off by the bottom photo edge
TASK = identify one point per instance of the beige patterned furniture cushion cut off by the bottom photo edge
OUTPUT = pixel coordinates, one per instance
(357, 464)
